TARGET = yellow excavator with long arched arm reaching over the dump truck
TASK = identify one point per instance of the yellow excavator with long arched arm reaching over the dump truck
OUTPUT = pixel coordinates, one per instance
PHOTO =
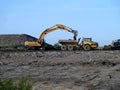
(40, 43)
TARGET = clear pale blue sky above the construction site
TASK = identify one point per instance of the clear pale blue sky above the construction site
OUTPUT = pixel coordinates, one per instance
(97, 19)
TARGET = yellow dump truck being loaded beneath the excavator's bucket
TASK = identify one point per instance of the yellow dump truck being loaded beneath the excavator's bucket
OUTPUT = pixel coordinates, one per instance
(86, 44)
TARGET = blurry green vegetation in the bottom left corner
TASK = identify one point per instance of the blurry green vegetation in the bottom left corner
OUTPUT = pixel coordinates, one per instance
(22, 84)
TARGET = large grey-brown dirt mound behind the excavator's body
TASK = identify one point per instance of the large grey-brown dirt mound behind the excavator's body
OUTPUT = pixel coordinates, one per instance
(15, 39)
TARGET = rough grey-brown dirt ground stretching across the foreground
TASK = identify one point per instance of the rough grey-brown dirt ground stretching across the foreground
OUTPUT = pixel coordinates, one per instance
(63, 70)
